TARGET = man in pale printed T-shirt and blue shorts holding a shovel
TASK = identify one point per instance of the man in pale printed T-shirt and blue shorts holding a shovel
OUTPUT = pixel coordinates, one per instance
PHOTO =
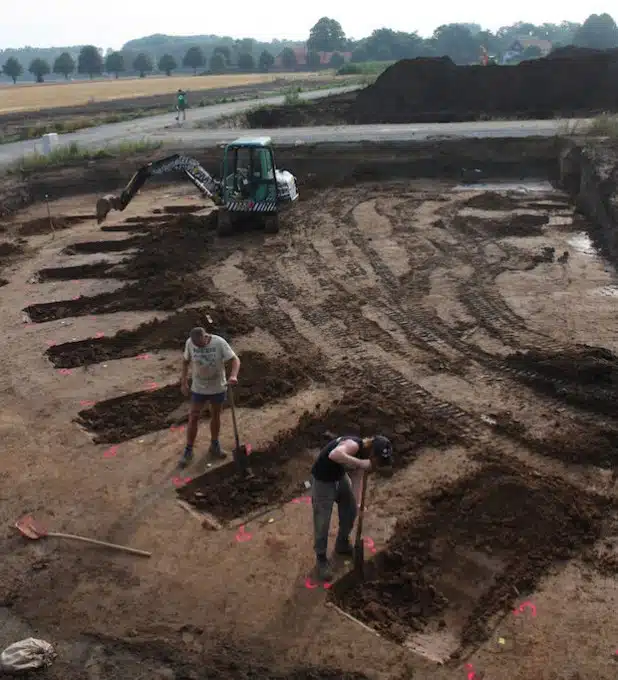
(207, 355)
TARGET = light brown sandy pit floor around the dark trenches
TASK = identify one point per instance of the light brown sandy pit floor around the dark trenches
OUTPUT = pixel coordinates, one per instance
(411, 292)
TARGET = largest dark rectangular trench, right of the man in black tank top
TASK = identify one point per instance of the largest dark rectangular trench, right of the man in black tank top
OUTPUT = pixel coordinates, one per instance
(480, 542)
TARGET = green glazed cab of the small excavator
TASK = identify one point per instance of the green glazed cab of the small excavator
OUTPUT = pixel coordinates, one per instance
(249, 178)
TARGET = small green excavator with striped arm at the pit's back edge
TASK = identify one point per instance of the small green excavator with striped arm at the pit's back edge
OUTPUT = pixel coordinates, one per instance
(251, 188)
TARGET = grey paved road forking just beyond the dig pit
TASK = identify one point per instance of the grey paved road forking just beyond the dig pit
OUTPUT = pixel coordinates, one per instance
(163, 128)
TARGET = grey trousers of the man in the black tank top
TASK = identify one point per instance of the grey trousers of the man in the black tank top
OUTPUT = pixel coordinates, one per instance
(323, 496)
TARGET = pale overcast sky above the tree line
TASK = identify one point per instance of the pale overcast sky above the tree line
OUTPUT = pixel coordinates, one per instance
(73, 22)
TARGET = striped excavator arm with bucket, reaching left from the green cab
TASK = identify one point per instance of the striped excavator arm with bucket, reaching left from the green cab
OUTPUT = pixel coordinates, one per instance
(209, 186)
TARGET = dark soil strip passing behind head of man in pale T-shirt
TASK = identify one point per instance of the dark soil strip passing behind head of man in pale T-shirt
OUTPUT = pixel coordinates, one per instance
(168, 333)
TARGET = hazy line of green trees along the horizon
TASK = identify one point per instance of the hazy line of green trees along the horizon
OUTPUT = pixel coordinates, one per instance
(463, 43)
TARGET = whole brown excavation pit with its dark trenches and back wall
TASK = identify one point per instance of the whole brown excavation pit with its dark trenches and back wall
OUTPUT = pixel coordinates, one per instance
(442, 315)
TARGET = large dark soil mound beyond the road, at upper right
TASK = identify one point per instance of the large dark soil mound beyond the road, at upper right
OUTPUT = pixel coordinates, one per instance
(568, 83)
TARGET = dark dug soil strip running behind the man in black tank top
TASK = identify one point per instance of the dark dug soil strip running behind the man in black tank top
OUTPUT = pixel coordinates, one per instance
(281, 468)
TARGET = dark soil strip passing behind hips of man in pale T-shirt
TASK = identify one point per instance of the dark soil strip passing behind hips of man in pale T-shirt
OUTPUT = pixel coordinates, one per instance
(262, 380)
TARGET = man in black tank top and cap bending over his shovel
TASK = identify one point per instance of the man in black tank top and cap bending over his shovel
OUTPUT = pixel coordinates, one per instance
(331, 484)
